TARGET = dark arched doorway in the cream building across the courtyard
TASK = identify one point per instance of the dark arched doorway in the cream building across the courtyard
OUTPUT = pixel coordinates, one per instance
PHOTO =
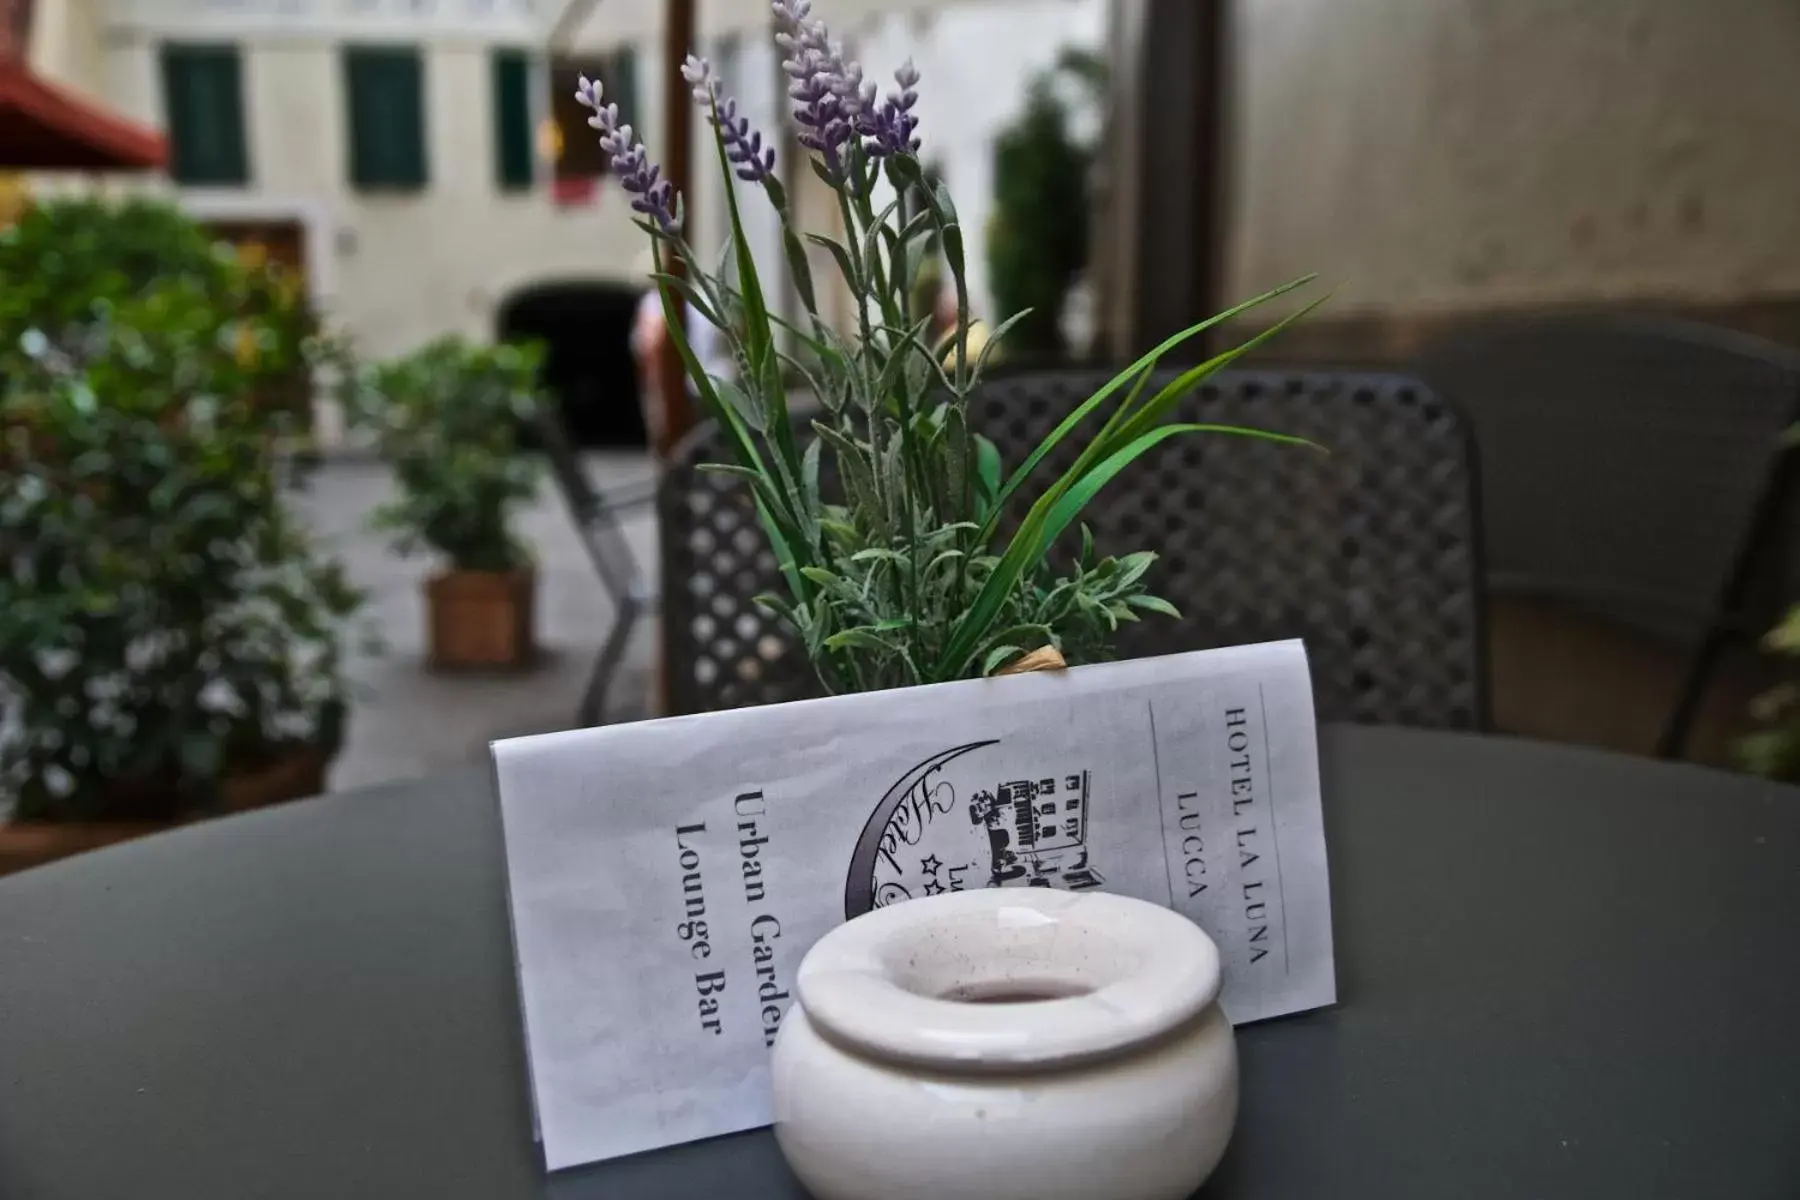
(586, 330)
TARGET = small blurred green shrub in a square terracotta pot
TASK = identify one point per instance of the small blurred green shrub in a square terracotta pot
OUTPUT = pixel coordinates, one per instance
(447, 424)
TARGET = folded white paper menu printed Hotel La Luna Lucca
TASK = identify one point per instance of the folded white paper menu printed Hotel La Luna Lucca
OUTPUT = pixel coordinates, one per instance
(669, 877)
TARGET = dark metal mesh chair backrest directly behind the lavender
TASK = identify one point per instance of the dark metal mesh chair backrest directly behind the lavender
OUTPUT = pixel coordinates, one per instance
(1367, 553)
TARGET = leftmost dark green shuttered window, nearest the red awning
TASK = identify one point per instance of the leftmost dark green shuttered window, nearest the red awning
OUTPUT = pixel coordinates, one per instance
(202, 94)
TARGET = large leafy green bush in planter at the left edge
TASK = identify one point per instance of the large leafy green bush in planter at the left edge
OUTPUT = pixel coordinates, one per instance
(170, 640)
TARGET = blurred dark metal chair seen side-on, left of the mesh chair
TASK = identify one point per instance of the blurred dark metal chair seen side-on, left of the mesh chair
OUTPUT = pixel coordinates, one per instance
(597, 519)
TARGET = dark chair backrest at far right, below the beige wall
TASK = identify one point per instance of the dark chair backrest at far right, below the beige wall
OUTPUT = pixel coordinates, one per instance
(1624, 461)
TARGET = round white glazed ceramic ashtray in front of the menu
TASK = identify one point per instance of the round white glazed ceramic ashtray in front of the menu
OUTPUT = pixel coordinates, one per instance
(1014, 1044)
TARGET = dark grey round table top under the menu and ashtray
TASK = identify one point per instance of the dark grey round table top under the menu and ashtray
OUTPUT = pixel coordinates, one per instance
(1565, 974)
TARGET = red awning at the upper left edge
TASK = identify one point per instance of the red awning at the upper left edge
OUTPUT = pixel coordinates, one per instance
(48, 129)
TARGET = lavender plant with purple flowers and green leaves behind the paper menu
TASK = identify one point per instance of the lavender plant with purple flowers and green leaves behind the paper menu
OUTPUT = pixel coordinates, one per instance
(912, 571)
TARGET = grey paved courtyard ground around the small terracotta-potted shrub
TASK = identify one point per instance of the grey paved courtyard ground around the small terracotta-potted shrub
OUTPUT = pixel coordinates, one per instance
(409, 722)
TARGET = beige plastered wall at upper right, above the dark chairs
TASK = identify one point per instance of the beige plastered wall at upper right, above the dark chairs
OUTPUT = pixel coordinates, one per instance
(1466, 156)
